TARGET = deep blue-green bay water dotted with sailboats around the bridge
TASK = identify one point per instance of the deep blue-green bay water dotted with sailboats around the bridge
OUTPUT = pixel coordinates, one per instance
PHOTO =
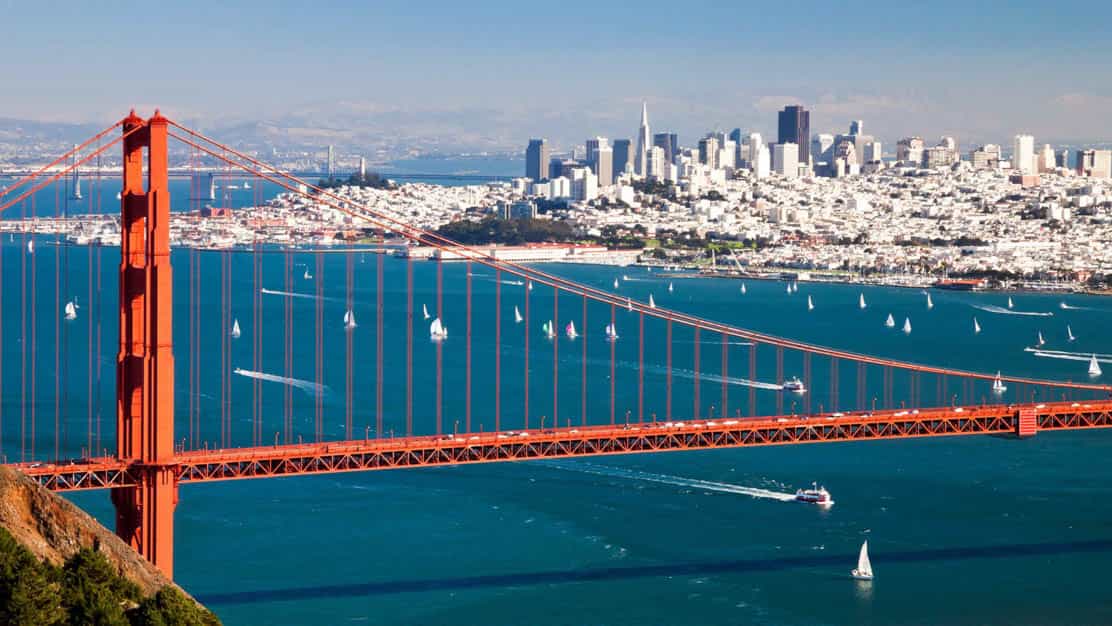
(962, 531)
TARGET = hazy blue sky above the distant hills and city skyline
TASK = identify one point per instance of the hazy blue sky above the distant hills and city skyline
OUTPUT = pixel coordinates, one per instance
(980, 71)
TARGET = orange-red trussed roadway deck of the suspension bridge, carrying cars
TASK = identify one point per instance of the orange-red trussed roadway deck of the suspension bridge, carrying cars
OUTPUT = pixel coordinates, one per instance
(396, 453)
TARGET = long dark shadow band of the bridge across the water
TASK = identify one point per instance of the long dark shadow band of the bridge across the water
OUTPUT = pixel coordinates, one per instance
(634, 572)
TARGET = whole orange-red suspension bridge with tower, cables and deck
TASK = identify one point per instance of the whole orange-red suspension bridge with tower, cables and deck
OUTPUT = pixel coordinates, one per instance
(155, 454)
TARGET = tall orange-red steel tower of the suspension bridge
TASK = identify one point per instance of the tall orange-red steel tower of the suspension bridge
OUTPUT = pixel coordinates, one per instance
(145, 363)
